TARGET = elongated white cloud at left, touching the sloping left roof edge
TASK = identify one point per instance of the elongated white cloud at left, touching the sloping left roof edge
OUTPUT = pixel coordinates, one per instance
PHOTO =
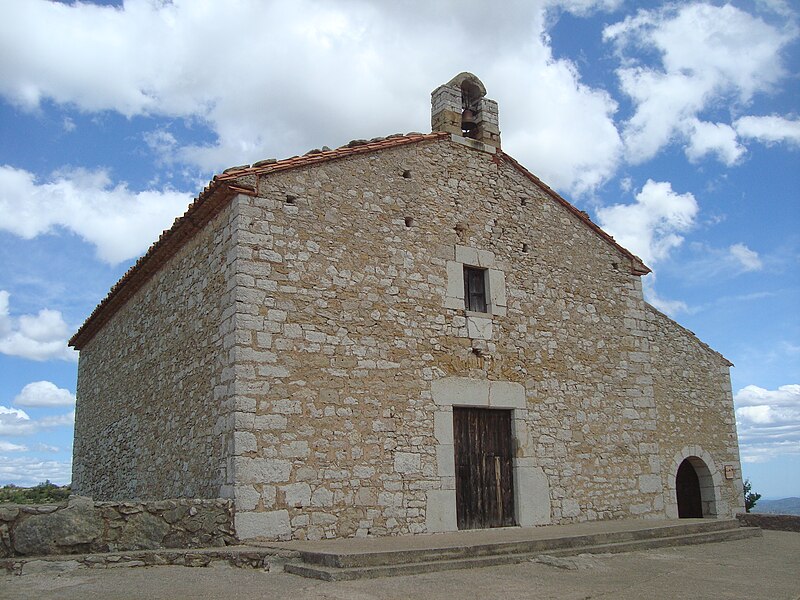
(121, 224)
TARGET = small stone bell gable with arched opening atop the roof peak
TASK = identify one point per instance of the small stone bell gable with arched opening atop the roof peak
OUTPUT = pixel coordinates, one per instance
(460, 106)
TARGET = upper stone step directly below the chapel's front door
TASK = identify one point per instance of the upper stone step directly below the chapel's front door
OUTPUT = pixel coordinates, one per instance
(344, 559)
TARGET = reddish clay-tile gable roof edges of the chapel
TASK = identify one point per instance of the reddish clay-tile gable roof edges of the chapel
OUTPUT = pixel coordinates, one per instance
(225, 186)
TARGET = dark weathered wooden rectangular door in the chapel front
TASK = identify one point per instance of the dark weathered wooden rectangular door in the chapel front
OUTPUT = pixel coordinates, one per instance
(483, 456)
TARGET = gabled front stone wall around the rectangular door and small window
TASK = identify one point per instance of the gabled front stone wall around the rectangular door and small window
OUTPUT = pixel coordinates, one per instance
(342, 280)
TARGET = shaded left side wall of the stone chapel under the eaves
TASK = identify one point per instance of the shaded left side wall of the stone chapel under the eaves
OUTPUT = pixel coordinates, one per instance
(154, 391)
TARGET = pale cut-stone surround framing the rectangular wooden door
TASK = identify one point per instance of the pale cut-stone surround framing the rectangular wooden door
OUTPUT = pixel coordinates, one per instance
(531, 489)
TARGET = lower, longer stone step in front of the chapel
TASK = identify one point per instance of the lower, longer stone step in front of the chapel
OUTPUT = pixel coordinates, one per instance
(467, 561)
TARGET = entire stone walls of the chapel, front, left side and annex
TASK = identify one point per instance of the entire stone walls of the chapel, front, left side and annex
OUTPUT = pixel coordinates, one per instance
(318, 341)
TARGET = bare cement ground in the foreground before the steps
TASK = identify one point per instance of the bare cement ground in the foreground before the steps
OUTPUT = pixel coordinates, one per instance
(765, 568)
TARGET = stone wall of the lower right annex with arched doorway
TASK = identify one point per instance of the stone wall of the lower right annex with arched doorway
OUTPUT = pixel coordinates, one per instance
(695, 413)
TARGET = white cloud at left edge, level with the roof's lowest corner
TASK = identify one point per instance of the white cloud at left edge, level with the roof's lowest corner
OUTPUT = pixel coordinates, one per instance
(36, 337)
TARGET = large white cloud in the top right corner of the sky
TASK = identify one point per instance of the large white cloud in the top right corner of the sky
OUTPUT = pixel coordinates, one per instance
(708, 55)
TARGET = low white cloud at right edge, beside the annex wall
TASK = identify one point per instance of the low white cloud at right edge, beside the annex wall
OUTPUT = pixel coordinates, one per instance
(768, 421)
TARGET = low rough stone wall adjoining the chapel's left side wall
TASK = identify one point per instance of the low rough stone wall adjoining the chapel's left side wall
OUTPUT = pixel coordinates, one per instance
(83, 526)
